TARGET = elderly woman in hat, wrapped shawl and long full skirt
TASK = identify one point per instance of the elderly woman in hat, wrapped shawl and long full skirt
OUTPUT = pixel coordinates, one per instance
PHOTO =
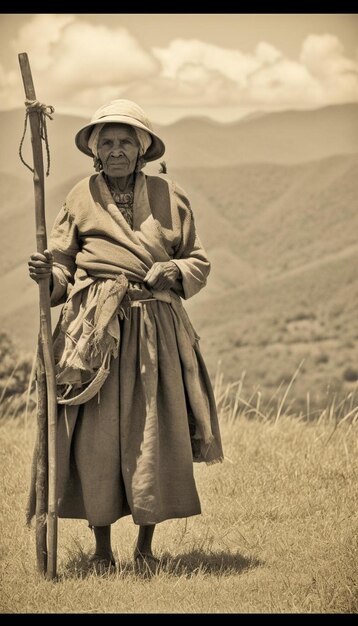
(136, 406)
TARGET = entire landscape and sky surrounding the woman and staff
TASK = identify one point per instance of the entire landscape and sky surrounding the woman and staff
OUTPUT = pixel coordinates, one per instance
(260, 117)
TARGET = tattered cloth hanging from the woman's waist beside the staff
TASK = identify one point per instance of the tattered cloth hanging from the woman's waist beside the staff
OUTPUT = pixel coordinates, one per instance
(88, 336)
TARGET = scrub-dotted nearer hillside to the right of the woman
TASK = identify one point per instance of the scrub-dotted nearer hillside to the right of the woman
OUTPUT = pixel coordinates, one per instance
(293, 294)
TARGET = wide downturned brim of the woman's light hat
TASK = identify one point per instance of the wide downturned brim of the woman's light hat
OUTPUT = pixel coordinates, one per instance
(155, 150)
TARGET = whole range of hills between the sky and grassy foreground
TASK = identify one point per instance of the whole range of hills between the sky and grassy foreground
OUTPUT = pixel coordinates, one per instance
(280, 231)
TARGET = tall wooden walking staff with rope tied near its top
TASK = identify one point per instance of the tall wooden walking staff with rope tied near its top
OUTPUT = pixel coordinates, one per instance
(46, 497)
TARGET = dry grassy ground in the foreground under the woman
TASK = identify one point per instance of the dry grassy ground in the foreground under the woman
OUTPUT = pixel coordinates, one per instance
(278, 533)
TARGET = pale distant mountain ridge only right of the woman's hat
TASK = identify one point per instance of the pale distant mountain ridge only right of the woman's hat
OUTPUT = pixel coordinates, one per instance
(286, 137)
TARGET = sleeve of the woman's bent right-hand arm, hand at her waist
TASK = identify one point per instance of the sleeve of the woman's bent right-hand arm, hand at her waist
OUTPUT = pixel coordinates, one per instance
(190, 256)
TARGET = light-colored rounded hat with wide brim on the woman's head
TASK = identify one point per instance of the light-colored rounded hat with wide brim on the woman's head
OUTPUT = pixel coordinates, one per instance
(121, 112)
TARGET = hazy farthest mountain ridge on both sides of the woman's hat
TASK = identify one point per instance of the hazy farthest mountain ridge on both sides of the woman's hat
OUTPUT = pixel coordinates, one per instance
(286, 138)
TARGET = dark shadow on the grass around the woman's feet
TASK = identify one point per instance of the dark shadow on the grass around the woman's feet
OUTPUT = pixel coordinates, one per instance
(187, 564)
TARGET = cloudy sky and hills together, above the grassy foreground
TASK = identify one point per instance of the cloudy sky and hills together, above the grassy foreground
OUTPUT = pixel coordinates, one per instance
(260, 117)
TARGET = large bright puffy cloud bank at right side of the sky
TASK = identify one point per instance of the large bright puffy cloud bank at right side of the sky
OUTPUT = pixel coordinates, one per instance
(263, 79)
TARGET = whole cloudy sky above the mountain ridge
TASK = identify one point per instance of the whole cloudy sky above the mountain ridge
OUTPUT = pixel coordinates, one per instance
(219, 65)
